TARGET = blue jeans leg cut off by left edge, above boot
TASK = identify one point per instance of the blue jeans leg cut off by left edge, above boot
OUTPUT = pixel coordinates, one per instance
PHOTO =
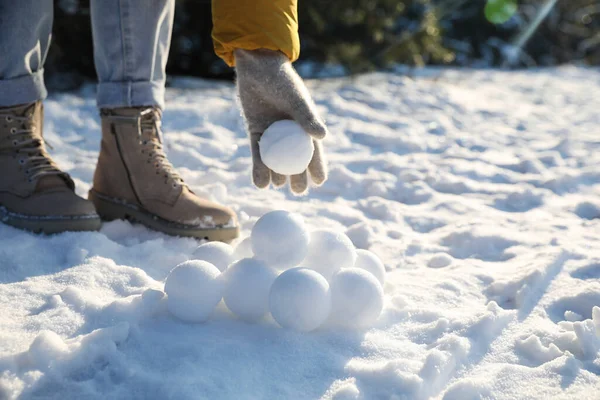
(25, 32)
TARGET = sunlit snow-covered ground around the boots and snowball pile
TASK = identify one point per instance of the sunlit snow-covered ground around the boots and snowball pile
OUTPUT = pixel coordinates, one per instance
(480, 190)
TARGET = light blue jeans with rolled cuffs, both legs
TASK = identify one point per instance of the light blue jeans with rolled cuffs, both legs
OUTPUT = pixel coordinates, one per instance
(131, 46)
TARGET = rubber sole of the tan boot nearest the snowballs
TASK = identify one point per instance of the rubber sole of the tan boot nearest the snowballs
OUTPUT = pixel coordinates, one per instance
(111, 209)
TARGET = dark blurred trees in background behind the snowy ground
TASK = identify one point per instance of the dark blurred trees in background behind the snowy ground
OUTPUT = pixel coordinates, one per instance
(362, 35)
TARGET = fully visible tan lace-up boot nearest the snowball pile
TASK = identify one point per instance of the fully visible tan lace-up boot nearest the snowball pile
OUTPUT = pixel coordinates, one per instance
(135, 181)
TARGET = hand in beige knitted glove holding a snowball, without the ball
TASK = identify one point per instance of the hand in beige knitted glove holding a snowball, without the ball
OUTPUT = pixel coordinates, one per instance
(270, 90)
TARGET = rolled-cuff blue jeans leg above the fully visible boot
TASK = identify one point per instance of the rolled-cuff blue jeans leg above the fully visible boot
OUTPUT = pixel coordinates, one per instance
(131, 46)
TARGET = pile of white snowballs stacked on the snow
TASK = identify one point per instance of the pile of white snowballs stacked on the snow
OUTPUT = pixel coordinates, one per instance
(304, 279)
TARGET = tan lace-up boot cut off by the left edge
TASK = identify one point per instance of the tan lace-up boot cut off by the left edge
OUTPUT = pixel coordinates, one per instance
(34, 193)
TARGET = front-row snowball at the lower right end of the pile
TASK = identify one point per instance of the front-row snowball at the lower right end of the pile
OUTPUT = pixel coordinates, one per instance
(356, 297)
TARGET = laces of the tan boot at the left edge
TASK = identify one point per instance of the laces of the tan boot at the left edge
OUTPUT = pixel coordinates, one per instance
(35, 161)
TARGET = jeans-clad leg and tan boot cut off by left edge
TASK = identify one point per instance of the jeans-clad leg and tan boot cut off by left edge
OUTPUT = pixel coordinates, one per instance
(34, 193)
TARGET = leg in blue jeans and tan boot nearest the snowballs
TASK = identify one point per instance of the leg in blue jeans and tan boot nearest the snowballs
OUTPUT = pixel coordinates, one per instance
(133, 177)
